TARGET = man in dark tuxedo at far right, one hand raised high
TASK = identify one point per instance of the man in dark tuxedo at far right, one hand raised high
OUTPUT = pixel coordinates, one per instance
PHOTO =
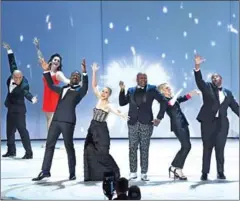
(213, 118)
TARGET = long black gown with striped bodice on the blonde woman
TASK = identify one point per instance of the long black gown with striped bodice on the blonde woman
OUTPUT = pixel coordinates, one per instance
(97, 159)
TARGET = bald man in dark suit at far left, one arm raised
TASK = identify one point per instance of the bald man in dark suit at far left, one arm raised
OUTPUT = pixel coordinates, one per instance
(18, 88)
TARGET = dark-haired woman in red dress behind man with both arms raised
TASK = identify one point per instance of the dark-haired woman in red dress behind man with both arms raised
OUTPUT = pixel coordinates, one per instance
(50, 98)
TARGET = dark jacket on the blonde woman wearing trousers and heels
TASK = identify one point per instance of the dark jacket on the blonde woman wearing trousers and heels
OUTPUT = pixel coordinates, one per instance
(177, 117)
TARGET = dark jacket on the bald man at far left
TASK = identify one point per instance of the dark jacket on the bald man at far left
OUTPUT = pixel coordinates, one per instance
(15, 101)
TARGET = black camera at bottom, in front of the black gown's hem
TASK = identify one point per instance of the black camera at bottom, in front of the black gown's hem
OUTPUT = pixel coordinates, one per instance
(109, 182)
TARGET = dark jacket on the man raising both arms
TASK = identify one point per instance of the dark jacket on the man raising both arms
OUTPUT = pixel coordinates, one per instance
(65, 110)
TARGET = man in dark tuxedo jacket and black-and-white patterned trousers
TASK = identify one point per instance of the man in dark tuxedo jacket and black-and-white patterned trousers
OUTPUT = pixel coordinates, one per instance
(140, 125)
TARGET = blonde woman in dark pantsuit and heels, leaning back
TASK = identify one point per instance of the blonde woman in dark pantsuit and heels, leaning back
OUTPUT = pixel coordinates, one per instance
(179, 125)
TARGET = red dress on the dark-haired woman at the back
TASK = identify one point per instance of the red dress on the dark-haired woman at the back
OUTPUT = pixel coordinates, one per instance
(50, 98)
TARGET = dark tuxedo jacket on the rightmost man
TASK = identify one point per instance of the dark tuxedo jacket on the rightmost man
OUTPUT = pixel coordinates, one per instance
(211, 102)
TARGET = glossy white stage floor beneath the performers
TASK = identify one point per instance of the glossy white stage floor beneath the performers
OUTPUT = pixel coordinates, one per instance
(16, 174)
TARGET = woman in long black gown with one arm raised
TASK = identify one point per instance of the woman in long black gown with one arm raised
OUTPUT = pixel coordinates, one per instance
(97, 159)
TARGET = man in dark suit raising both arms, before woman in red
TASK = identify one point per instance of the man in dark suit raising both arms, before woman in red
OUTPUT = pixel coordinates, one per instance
(64, 119)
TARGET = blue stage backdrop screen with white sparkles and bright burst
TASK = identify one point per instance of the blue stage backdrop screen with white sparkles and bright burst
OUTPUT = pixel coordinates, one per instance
(124, 38)
